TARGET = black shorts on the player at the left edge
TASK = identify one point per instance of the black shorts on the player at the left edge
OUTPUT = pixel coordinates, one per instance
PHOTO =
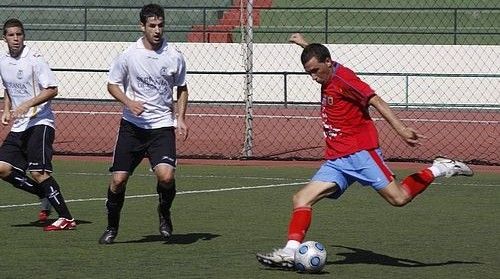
(30, 150)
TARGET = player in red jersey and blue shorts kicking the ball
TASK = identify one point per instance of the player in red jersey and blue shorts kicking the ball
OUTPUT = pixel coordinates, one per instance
(352, 149)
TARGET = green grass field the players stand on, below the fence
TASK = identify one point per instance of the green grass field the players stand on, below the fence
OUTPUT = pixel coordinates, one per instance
(223, 215)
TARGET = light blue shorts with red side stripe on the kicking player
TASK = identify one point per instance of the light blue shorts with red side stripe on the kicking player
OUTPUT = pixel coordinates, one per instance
(366, 167)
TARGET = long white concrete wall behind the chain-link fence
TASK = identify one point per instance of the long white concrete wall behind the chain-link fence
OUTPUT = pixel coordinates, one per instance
(418, 59)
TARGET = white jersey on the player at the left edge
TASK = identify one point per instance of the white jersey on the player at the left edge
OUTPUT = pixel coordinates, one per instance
(24, 77)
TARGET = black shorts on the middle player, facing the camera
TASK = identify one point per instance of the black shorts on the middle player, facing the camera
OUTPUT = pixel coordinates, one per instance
(134, 144)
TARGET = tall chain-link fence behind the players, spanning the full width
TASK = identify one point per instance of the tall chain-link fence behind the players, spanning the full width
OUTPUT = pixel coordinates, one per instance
(436, 63)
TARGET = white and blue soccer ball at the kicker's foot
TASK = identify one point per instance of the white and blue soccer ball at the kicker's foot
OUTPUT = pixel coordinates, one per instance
(310, 257)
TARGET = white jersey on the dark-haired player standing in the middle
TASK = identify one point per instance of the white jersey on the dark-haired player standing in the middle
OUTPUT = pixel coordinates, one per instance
(149, 76)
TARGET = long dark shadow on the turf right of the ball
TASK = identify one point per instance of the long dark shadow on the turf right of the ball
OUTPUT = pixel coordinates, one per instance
(361, 256)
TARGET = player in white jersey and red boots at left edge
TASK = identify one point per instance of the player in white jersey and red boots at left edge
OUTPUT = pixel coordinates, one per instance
(29, 85)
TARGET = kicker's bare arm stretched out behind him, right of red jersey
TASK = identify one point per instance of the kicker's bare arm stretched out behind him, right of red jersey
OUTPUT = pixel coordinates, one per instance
(409, 135)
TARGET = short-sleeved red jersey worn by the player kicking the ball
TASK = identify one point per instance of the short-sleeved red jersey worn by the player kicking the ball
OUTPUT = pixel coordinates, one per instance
(348, 127)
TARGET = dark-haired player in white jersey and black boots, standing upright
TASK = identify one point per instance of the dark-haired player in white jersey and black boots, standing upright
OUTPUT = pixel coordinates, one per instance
(143, 78)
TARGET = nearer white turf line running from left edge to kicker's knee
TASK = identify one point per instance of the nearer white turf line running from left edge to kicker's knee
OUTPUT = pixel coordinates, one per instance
(178, 193)
